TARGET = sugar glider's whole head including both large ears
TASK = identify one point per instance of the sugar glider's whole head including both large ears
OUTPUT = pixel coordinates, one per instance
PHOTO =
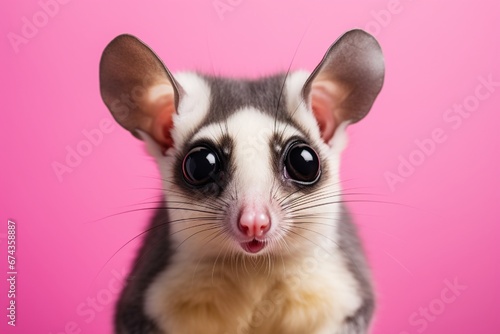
(248, 166)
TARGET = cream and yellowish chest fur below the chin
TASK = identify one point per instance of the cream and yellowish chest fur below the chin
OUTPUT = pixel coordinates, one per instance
(310, 294)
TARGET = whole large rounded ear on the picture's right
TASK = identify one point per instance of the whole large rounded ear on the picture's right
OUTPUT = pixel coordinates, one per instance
(345, 84)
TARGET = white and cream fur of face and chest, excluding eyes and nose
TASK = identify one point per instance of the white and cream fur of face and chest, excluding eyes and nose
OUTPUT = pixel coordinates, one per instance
(211, 286)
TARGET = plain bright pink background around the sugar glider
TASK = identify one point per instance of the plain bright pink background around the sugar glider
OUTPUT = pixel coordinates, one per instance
(440, 224)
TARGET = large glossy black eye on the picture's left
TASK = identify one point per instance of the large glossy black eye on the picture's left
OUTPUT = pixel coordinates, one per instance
(200, 166)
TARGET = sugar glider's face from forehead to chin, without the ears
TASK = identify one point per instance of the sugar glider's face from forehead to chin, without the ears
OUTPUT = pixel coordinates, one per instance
(248, 170)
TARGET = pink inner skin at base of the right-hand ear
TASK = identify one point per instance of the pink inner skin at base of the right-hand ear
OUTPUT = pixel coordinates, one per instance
(323, 108)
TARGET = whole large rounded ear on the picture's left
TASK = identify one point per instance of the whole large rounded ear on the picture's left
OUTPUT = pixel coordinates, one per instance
(138, 89)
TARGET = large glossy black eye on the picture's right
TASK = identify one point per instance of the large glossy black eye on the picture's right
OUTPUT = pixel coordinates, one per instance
(302, 164)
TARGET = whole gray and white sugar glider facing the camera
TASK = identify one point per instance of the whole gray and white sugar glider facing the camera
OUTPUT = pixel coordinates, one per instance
(251, 236)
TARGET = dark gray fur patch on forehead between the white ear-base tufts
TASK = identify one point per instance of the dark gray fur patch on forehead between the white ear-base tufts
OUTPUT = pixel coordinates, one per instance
(230, 95)
